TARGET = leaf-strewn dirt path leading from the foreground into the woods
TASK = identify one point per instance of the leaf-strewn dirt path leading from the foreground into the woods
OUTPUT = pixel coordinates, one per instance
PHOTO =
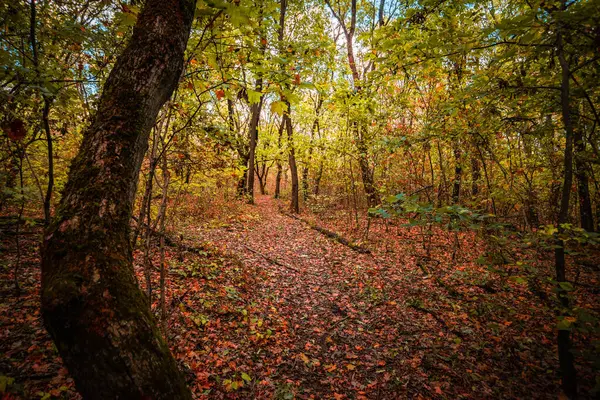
(350, 332)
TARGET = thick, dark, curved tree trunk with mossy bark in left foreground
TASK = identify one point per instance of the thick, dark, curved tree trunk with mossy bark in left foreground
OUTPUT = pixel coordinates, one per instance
(91, 303)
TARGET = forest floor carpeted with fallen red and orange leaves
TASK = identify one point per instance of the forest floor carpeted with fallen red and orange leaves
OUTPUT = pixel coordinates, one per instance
(263, 306)
